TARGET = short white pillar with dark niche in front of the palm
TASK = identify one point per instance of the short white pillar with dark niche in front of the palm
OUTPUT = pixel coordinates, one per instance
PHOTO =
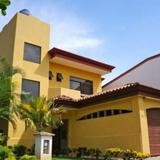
(43, 145)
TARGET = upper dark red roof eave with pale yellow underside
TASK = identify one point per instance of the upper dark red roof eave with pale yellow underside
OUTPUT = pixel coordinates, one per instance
(62, 57)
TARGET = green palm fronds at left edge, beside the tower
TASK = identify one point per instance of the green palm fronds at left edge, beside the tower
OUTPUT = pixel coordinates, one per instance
(8, 96)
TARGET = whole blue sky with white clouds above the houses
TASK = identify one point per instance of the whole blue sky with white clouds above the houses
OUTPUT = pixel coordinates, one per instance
(121, 33)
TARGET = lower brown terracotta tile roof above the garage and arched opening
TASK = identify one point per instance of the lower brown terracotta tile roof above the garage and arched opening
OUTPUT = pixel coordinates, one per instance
(108, 95)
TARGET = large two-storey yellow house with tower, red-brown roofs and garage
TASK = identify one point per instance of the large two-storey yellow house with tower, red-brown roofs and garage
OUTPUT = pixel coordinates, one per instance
(119, 117)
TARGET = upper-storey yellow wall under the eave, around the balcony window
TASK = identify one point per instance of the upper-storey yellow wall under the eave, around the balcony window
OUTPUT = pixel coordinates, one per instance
(67, 72)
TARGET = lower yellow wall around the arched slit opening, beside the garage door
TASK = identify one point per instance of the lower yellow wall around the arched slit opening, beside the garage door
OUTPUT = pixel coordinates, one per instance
(121, 130)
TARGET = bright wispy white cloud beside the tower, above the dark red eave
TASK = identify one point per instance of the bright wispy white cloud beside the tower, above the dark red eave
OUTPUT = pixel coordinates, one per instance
(73, 34)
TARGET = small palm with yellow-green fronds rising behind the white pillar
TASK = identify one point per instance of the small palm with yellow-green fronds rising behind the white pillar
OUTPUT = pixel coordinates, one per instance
(40, 113)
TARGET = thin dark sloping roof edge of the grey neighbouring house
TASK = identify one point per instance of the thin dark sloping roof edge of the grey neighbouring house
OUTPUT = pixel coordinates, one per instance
(139, 64)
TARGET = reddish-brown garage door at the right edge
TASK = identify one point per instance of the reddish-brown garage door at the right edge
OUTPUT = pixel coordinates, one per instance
(153, 116)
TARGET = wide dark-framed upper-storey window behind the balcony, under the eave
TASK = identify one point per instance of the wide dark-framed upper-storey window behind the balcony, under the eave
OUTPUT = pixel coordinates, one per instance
(82, 85)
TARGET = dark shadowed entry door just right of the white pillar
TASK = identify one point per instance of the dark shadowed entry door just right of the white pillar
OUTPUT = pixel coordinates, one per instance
(60, 140)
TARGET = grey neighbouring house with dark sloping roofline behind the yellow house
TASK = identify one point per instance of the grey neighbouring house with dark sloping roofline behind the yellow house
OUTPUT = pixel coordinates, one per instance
(146, 72)
